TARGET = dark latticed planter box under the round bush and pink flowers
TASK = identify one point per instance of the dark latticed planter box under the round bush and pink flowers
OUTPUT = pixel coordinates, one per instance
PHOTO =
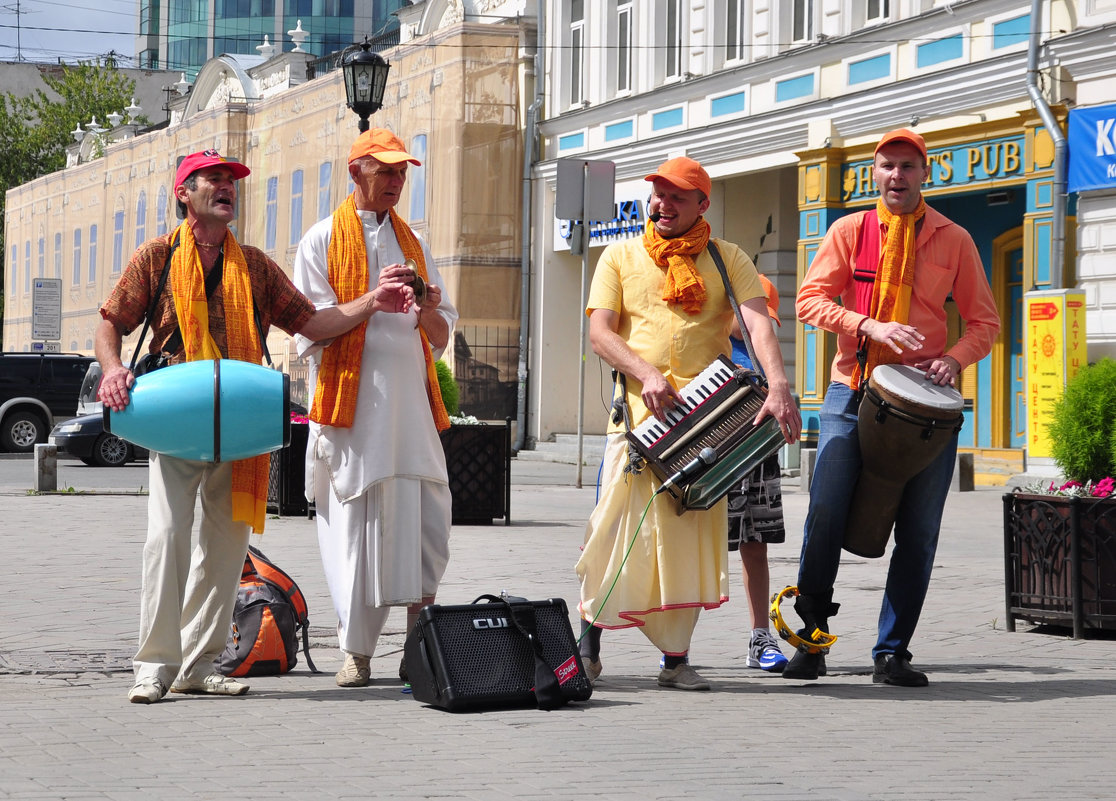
(1061, 562)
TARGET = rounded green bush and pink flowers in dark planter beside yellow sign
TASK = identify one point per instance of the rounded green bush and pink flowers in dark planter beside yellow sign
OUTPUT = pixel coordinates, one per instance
(1061, 537)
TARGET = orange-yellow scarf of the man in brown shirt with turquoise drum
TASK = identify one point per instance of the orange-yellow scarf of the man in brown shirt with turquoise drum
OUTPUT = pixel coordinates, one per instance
(191, 306)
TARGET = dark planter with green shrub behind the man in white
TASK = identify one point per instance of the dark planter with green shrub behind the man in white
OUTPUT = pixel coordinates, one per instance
(478, 460)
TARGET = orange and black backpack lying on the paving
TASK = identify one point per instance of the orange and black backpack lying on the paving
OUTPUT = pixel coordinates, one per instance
(270, 613)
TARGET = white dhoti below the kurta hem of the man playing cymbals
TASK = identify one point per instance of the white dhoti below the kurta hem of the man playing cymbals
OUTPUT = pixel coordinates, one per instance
(386, 548)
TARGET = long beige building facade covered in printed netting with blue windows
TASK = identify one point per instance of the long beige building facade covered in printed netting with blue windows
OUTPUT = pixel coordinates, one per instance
(454, 96)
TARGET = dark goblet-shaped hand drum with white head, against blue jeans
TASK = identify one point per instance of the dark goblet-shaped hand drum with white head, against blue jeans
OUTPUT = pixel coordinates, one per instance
(906, 421)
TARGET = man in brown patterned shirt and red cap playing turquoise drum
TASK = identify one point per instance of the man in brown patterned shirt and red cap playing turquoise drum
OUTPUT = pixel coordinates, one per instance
(206, 297)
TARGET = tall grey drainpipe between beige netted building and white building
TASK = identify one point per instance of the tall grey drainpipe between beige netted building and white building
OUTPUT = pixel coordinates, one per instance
(525, 286)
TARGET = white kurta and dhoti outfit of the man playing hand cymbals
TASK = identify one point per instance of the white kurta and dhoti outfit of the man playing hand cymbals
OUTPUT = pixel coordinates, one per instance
(384, 541)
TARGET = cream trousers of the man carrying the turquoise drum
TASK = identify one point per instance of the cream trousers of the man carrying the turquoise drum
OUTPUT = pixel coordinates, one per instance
(187, 599)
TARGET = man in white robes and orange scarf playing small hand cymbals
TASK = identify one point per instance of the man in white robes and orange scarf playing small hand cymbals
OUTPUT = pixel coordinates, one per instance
(374, 461)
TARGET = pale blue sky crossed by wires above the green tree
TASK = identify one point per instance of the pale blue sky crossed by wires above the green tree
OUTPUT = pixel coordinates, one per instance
(71, 31)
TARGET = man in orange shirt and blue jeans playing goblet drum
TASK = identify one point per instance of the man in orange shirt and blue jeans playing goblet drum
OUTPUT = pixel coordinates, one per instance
(893, 268)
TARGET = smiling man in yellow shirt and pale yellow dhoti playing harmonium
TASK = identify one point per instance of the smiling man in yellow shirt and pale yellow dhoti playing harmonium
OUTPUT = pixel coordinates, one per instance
(659, 315)
